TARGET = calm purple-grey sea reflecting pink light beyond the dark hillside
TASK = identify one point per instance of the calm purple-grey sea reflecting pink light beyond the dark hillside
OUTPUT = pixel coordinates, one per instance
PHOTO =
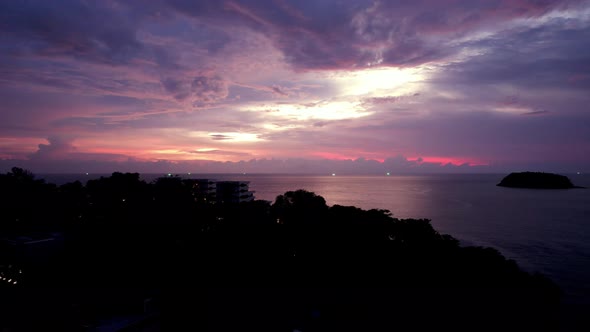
(545, 231)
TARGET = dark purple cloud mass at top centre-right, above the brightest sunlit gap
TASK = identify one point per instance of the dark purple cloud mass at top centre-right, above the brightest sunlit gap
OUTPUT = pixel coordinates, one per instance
(337, 34)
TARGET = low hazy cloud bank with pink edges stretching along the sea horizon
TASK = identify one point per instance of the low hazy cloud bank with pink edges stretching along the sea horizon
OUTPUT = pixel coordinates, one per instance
(398, 165)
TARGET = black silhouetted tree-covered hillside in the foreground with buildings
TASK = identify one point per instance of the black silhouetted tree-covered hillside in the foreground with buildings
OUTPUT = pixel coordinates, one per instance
(118, 246)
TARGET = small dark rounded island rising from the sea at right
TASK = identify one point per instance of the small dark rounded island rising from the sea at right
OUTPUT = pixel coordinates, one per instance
(536, 180)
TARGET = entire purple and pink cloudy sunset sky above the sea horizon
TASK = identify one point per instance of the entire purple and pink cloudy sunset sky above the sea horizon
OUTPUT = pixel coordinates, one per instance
(285, 86)
